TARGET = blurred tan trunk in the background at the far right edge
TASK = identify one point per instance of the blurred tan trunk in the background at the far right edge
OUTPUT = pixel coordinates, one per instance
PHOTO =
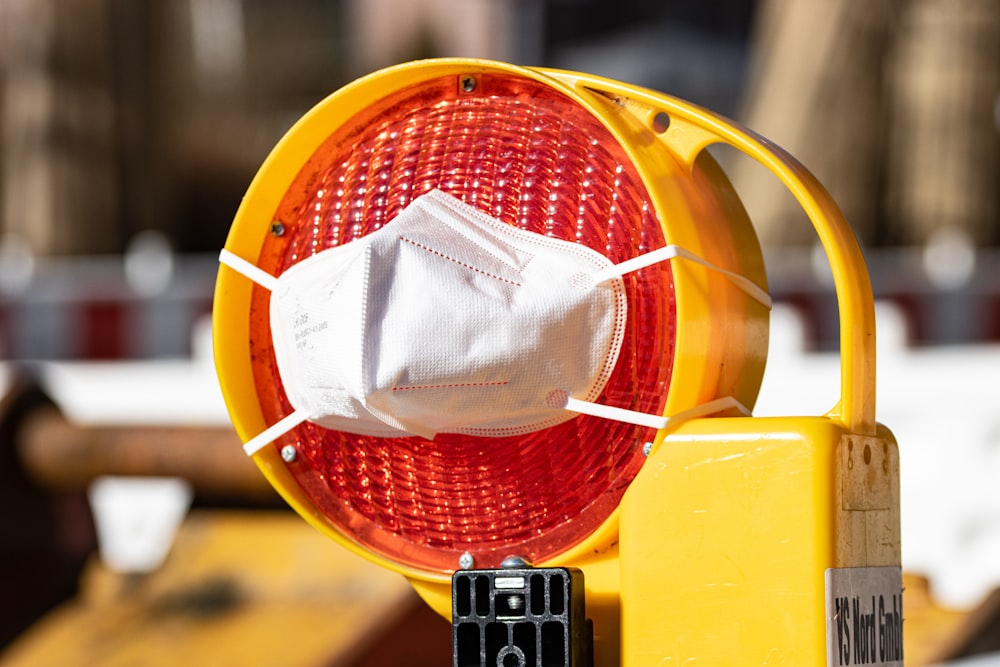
(944, 130)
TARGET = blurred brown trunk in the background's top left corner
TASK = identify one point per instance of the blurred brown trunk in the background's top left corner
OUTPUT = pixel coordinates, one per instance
(60, 114)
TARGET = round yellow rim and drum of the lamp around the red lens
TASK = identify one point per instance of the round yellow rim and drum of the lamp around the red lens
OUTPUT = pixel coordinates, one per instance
(721, 333)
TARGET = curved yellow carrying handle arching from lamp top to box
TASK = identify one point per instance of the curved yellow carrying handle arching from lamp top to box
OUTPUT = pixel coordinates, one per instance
(690, 130)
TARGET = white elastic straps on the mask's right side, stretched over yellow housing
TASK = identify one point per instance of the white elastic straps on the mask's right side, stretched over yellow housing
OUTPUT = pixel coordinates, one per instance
(660, 422)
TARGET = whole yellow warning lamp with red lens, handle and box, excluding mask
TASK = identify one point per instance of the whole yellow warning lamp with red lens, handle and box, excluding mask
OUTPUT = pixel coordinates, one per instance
(707, 534)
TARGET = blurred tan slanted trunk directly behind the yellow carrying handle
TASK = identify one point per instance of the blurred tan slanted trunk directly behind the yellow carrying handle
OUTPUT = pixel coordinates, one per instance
(815, 88)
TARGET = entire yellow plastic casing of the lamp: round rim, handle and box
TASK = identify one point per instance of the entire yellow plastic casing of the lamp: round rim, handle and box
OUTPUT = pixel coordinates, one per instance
(717, 552)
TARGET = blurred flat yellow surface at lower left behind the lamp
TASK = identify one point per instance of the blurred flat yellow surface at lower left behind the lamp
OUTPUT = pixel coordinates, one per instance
(239, 588)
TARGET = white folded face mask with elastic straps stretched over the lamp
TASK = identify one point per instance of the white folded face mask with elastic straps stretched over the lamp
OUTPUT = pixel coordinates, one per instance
(446, 320)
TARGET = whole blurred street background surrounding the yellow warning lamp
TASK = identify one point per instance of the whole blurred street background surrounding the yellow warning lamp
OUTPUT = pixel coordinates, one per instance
(129, 131)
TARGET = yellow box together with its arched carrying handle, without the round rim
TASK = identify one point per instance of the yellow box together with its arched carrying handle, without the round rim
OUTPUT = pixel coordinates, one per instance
(727, 533)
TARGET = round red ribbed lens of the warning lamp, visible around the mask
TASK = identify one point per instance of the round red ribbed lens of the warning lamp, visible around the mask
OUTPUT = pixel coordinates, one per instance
(527, 154)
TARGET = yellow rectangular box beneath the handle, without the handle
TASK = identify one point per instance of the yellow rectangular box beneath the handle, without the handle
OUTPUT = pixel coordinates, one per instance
(728, 531)
